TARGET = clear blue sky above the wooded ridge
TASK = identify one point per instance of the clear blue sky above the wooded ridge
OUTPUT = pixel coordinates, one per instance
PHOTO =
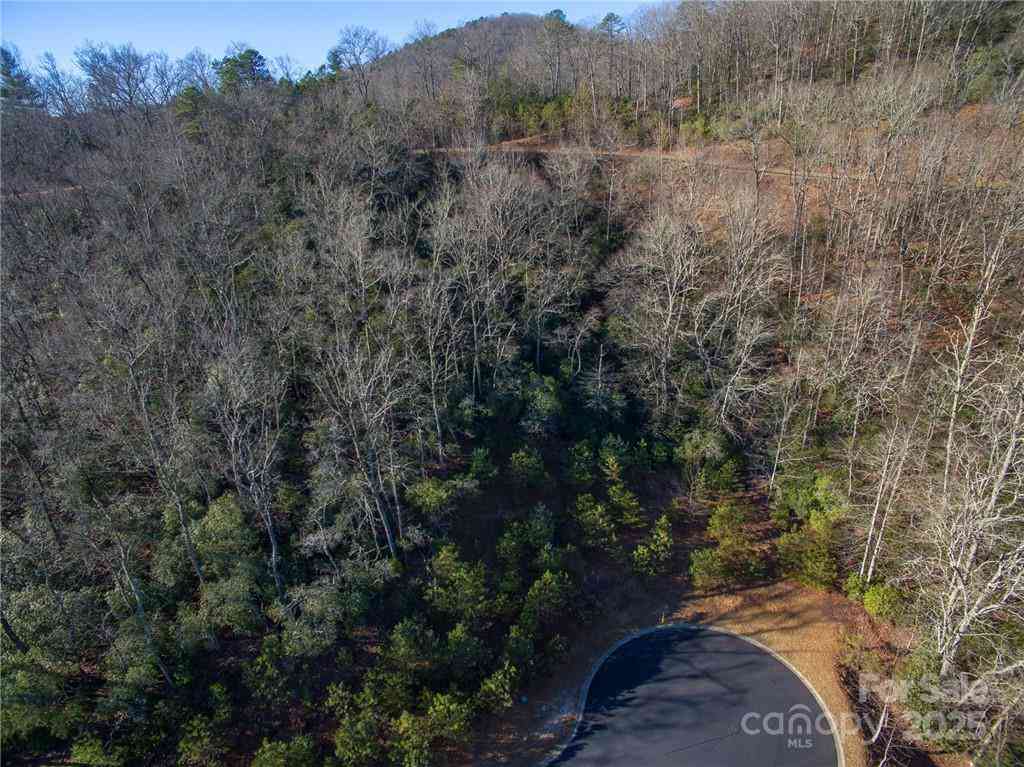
(305, 31)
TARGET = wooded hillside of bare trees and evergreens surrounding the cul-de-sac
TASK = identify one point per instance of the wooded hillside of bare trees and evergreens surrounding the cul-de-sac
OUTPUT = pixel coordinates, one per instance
(326, 431)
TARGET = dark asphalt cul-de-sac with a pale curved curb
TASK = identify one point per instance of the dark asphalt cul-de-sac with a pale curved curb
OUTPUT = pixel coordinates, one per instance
(678, 697)
